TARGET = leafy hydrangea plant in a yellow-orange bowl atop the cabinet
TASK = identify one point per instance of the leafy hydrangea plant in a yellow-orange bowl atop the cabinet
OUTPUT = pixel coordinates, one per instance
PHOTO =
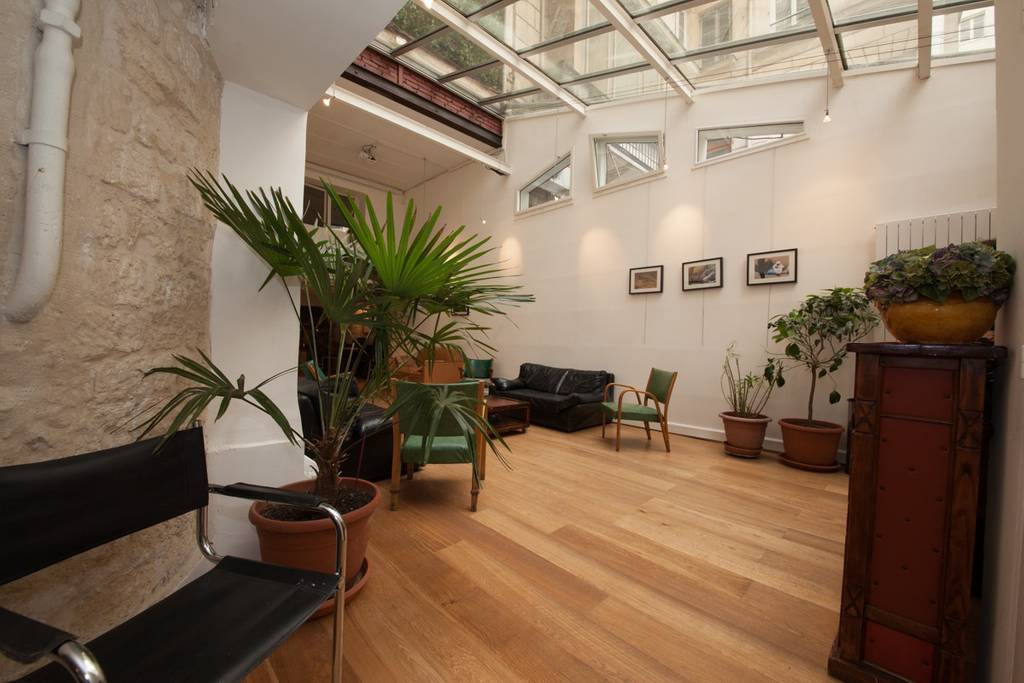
(949, 295)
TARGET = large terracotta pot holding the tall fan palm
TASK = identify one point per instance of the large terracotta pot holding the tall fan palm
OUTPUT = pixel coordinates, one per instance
(311, 545)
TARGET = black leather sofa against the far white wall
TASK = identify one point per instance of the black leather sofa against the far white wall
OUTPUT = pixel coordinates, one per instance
(559, 398)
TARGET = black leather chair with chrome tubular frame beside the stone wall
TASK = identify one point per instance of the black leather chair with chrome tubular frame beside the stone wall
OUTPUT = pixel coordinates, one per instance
(217, 628)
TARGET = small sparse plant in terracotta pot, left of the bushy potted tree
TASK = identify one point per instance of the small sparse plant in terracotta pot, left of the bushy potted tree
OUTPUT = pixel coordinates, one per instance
(747, 395)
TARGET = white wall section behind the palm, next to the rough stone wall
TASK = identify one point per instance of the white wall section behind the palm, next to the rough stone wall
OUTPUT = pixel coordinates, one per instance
(263, 145)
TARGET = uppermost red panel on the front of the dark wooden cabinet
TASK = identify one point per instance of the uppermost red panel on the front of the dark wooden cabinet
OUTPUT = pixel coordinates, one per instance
(918, 393)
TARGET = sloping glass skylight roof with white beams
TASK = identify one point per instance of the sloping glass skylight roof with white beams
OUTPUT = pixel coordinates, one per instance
(711, 44)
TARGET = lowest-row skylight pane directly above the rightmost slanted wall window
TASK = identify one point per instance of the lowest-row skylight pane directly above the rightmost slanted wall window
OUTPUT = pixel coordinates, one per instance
(756, 64)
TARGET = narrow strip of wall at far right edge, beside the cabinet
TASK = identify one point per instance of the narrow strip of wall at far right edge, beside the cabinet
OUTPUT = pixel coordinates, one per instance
(1004, 628)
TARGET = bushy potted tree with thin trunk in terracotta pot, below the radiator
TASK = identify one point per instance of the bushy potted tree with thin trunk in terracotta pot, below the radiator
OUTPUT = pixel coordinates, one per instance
(816, 335)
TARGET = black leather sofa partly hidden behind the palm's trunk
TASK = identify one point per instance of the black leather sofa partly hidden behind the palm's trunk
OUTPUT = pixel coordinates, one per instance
(372, 460)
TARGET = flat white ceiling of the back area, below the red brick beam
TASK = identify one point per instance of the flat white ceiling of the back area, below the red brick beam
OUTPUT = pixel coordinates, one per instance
(336, 135)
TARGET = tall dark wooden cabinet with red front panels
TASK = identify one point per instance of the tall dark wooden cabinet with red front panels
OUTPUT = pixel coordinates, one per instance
(919, 448)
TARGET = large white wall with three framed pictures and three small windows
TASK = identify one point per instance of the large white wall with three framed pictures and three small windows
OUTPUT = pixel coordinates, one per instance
(897, 149)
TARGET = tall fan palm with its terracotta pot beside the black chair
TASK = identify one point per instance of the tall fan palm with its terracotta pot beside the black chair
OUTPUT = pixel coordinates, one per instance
(397, 279)
